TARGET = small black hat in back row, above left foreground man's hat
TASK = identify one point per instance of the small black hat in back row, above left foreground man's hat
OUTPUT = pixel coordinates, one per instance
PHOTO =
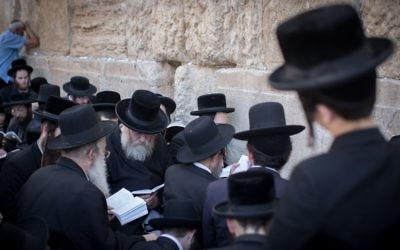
(79, 86)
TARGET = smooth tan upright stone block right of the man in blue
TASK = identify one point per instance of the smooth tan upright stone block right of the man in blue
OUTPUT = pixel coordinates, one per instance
(54, 28)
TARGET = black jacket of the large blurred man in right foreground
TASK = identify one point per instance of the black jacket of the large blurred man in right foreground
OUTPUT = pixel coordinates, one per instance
(348, 198)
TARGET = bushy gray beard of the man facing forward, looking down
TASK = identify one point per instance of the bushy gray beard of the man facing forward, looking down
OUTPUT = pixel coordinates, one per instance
(134, 151)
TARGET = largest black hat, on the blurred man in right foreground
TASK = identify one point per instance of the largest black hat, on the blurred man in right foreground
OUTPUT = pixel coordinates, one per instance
(324, 47)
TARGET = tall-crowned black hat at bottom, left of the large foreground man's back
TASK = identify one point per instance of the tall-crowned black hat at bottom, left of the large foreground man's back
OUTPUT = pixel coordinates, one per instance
(251, 194)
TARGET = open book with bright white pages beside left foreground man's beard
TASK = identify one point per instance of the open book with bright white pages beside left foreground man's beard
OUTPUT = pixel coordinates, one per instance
(126, 207)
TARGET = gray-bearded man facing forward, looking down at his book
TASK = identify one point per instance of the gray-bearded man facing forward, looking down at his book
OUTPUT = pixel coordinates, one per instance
(139, 154)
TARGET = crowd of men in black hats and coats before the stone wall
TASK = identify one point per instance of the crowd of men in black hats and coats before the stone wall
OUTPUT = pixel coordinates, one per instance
(63, 156)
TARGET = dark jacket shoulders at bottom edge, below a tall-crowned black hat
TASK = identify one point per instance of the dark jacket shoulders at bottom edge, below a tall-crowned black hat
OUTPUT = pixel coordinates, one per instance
(247, 242)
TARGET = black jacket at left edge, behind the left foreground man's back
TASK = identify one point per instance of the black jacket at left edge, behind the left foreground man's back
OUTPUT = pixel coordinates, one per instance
(16, 171)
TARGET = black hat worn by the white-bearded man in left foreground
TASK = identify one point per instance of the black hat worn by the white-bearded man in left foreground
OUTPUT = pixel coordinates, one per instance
(80, 125)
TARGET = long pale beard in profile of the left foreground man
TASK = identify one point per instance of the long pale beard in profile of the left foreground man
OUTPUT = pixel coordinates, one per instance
(98, 175)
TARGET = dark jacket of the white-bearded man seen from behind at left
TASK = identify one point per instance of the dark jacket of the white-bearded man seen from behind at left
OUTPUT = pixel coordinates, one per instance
(71, 206)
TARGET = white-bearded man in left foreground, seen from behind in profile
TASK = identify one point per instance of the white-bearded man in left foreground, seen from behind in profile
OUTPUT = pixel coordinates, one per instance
(70, 195)
